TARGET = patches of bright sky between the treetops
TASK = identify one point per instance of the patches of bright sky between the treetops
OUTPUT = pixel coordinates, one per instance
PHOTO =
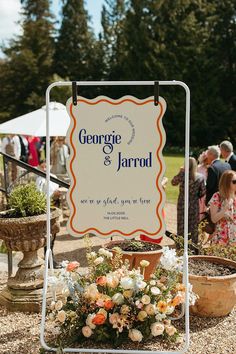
(10, 14)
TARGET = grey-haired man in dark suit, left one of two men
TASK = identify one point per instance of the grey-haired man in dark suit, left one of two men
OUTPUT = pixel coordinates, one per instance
(215, 170)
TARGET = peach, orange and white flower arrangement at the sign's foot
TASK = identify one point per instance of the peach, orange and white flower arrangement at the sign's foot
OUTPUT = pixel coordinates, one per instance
(111, 303)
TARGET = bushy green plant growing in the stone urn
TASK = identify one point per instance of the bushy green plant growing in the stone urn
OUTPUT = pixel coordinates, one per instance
(27, 200)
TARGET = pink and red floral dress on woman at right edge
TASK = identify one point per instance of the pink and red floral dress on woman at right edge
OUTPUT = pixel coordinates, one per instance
(225, 232)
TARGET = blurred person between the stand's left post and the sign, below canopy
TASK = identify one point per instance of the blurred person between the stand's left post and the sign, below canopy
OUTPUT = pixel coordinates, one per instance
(59, 155)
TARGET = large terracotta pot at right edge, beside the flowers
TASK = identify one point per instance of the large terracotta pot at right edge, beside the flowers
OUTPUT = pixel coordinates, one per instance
(217, 294)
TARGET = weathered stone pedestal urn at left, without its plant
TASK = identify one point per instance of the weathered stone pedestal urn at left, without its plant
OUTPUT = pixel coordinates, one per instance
(28, 235)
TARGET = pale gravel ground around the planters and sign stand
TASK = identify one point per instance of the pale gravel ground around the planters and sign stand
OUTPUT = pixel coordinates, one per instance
(19, 332)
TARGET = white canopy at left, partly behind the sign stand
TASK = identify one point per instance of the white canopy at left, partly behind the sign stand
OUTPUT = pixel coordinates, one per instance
(34, 123)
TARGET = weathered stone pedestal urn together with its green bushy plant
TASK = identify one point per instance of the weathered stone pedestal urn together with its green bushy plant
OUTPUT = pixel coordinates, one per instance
(23, 228)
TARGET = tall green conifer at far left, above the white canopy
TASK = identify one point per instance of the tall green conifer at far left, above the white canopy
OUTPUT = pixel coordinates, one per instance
(27, 68)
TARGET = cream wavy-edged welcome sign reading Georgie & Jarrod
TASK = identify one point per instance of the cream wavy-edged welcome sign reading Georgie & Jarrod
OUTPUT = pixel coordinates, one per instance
(116, 167)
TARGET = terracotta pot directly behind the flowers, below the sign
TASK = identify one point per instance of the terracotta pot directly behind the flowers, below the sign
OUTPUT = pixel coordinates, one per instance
(136, 256)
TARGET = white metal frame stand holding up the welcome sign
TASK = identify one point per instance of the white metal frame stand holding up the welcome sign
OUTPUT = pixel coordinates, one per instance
(48, 256)
